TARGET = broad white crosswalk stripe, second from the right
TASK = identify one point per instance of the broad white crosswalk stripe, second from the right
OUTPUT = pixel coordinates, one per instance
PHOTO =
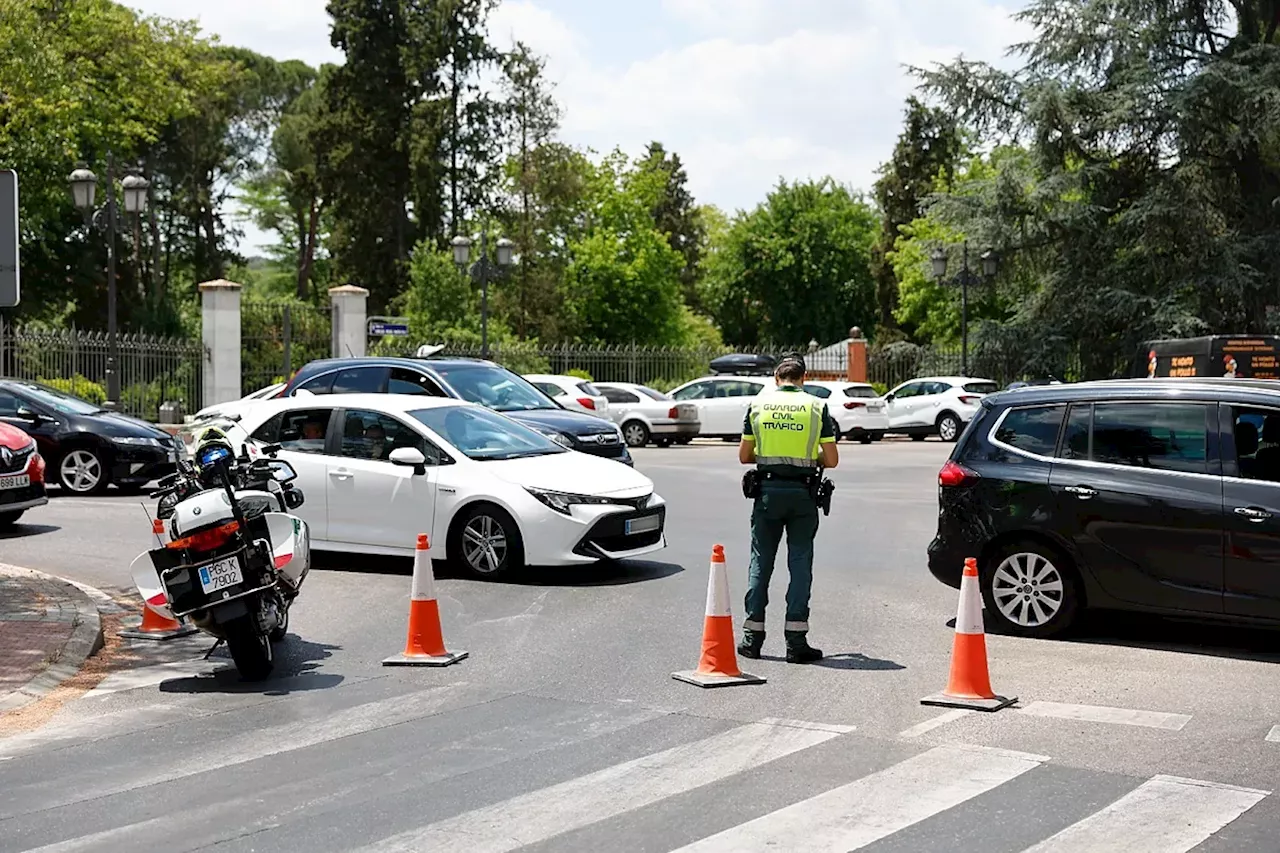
(874, 808)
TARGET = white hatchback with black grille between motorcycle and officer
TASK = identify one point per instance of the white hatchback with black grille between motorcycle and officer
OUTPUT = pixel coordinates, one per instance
(491, 494)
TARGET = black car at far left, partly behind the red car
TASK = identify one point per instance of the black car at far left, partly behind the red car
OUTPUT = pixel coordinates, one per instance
(86, 446)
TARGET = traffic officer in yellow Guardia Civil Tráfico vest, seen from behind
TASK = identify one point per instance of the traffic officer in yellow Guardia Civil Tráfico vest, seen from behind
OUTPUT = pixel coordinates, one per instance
(790, 437)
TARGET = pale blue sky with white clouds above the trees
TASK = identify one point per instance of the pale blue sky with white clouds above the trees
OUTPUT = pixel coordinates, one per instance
(747, 92)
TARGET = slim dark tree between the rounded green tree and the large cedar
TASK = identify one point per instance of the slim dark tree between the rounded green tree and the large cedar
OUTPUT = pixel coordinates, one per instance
(927, 149)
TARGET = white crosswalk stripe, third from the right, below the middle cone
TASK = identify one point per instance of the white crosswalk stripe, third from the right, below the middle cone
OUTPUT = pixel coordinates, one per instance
(623, 788)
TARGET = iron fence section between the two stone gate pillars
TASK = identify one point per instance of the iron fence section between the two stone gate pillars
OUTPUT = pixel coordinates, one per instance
(277, 339)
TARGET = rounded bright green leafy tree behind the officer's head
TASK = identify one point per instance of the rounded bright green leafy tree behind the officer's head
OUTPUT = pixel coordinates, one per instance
(796, 268)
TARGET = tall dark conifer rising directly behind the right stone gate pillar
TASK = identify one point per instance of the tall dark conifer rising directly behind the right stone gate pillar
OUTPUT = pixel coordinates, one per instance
(360, 136)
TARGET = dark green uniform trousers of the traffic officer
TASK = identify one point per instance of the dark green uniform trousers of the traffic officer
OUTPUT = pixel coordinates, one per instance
(781, 509)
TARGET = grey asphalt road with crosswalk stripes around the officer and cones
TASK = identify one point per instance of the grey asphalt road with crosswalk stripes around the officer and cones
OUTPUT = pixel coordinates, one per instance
(565, 732)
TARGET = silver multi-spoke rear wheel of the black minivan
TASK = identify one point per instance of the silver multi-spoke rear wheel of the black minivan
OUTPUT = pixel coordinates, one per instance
(1030, 590)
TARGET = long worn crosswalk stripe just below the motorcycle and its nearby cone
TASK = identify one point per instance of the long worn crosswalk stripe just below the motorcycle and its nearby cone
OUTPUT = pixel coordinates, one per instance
(262, 743)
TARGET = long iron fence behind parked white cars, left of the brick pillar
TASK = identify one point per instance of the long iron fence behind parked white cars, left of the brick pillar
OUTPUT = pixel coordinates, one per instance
(662, 368)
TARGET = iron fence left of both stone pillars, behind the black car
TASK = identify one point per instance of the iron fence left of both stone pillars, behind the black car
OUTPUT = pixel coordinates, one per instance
(153, 370)
